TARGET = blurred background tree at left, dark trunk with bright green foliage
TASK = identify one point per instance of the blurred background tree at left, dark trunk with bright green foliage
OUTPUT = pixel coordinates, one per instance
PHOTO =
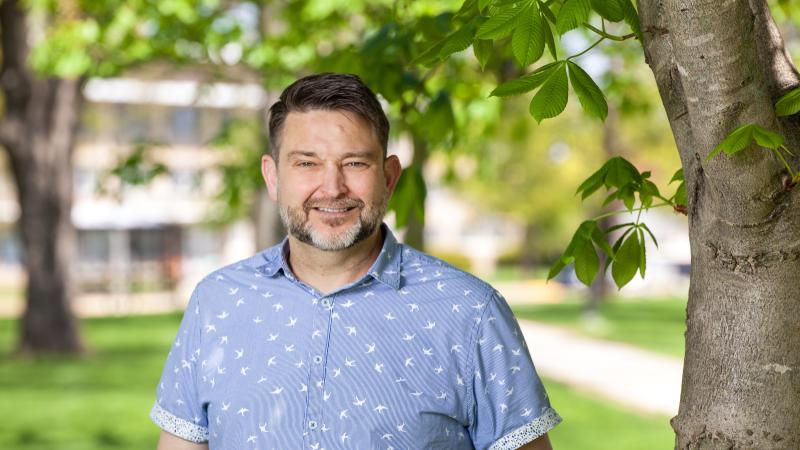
(49, 49)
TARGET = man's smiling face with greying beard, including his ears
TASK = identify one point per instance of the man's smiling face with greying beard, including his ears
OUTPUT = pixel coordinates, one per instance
(331, 181)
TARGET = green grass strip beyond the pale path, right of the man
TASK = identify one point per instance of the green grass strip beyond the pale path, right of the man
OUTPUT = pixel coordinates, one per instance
(656, 325)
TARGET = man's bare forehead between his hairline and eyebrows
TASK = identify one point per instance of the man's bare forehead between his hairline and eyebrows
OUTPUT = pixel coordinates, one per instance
(328, 131)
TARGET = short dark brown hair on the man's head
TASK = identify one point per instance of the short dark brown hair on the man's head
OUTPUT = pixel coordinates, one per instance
(328, 91)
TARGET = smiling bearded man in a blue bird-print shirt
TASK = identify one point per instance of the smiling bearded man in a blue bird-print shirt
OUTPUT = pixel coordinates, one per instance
(340, 337)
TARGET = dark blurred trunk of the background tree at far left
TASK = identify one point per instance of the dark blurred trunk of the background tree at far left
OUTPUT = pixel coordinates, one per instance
(37, 131)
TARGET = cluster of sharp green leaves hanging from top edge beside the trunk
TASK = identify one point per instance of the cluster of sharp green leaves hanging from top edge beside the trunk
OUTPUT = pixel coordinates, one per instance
(532, 26)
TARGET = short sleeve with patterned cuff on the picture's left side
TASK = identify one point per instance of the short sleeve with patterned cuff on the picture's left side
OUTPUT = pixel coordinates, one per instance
(178, 409)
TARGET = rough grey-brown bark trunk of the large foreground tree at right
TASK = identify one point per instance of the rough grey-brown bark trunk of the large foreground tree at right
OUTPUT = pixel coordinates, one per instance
(719, 65)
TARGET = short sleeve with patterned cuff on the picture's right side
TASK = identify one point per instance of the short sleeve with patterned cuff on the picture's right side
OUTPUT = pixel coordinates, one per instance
(511, 407)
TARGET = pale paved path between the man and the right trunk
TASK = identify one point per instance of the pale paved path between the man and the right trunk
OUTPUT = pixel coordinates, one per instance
(633, 378)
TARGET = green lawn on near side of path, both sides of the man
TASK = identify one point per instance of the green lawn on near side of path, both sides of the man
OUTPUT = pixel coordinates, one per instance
(101, 401)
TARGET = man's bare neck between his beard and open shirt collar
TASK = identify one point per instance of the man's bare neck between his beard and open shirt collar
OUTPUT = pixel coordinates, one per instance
(327, 271)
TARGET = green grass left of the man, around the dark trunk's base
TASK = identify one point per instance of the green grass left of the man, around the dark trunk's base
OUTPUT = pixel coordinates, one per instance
(100, 401)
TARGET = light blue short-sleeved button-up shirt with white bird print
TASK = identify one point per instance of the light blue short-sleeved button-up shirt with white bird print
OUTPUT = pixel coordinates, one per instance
(415, 355)
